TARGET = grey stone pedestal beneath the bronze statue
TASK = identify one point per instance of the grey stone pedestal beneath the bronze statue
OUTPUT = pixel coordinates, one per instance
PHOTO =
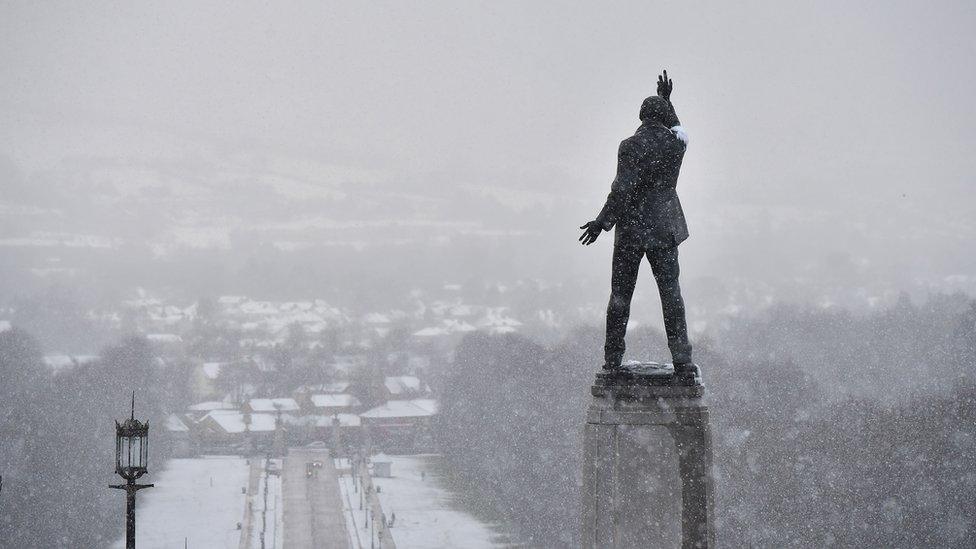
(647, 463)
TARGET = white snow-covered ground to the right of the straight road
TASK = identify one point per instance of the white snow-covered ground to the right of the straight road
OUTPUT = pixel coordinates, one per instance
(426, 516)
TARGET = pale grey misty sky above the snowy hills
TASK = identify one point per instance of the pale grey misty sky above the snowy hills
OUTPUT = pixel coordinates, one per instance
(864, 111)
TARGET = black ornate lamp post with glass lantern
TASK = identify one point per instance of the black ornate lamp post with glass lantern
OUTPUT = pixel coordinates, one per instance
(131, 458)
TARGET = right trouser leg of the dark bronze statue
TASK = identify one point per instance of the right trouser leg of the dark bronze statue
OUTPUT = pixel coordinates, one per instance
(664, 264)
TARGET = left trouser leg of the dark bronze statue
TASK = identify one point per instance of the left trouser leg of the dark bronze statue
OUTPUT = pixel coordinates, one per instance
(626, 263)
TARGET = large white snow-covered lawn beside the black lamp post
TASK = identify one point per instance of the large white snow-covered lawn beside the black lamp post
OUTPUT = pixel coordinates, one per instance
(199, 500)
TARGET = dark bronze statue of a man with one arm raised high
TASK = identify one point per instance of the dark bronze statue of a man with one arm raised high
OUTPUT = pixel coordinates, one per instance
(644, 207)
